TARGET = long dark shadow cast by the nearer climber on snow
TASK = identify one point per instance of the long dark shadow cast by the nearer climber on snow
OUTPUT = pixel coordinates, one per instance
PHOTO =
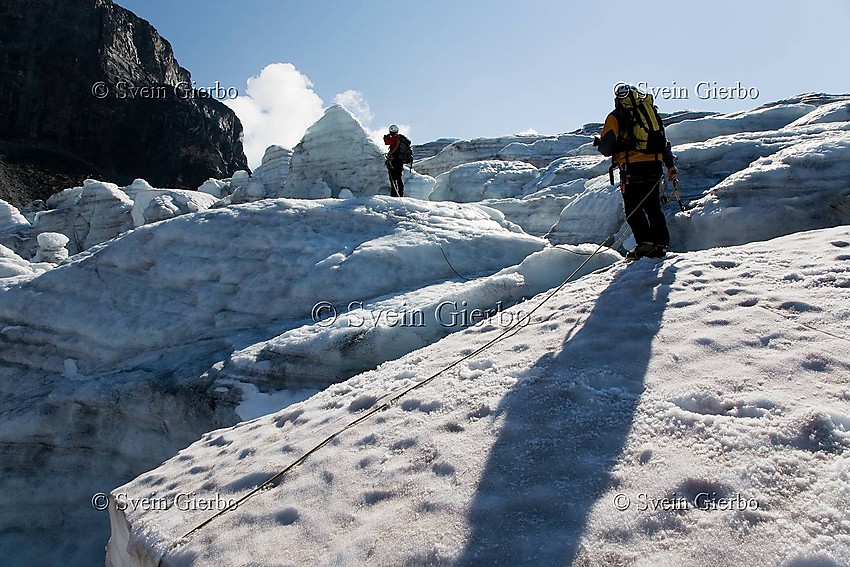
(564, 426)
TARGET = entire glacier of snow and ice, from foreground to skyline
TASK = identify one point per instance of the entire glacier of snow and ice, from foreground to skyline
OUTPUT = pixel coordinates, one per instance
(719, 370)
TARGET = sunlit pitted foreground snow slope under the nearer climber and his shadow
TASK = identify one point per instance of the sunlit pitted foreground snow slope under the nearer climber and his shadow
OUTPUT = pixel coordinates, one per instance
(706, 393)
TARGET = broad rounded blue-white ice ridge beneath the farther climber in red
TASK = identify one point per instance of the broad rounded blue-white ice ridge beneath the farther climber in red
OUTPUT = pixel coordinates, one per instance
(240, 268)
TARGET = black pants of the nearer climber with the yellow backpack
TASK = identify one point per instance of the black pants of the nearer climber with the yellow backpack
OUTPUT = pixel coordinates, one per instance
(643, 211)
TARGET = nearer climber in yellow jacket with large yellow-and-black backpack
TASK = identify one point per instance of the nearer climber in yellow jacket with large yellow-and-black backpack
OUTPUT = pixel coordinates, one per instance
(633, 136)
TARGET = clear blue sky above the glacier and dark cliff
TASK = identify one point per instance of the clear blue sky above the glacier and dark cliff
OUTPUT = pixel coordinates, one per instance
(484, 68)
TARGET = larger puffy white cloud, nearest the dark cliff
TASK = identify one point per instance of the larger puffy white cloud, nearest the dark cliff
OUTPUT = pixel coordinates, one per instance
(278, 106)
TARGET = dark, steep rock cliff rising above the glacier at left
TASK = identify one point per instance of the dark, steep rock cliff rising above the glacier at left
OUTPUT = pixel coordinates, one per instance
(70, 108)
